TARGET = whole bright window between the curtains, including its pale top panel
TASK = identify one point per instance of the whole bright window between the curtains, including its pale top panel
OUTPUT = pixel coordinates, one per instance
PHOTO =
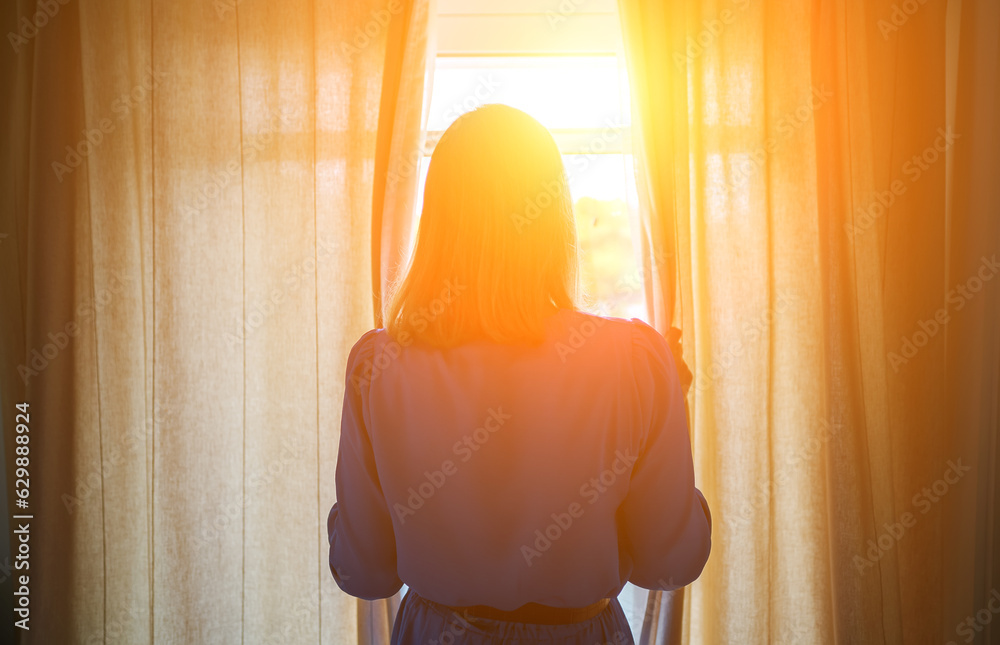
(561, 61)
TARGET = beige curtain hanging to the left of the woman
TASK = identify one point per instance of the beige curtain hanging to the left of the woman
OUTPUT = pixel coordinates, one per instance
(188, 194)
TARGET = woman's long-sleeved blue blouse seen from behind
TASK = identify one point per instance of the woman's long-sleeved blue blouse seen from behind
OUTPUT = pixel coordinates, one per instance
(499, 475)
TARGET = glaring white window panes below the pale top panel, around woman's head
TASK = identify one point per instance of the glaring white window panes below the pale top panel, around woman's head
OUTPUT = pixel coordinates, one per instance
(584, 102)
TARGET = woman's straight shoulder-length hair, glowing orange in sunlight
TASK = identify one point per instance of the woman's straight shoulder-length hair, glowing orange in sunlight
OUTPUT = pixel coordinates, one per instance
(496, 247)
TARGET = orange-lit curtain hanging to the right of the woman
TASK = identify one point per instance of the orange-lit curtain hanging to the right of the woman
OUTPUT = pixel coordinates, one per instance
(816, 196)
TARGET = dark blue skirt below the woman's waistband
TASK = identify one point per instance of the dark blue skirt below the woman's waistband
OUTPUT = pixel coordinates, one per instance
(420, 621)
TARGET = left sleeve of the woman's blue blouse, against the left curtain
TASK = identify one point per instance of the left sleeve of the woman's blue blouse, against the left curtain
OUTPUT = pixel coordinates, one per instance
(362, 542)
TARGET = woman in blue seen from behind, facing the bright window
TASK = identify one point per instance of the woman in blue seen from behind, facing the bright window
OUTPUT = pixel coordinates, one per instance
(512, 459)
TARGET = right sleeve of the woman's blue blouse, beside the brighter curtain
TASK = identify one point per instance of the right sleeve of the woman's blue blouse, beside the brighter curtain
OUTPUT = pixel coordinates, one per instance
(665, 519)
